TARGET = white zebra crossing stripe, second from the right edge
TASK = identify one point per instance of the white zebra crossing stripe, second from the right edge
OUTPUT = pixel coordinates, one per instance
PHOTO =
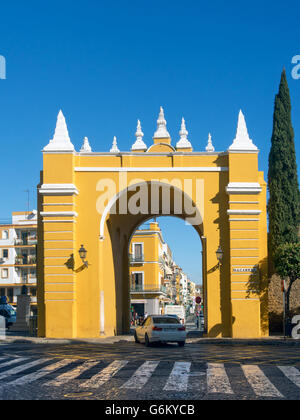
(259, 382)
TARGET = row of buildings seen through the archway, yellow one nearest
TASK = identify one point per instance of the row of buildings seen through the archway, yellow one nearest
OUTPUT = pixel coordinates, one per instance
(155, 279)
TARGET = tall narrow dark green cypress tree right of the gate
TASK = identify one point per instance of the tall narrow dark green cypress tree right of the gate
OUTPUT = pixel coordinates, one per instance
(284, 201)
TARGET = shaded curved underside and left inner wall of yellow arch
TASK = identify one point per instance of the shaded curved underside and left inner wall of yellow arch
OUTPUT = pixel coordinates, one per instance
(178, 203)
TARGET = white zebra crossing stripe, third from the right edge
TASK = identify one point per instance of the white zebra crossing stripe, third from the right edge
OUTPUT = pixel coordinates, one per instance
(217, 379)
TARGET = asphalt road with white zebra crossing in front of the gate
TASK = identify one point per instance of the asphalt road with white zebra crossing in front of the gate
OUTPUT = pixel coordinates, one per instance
(129, 371)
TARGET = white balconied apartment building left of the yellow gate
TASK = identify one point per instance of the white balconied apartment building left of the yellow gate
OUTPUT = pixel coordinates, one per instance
(18, 241)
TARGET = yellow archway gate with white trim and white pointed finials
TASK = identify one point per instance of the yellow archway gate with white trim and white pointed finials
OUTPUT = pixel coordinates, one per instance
(98, 200)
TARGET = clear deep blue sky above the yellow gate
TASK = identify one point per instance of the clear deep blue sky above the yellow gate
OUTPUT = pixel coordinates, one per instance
(106, 64)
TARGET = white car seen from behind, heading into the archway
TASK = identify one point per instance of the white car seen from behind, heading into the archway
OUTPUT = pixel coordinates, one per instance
(160, 328)
